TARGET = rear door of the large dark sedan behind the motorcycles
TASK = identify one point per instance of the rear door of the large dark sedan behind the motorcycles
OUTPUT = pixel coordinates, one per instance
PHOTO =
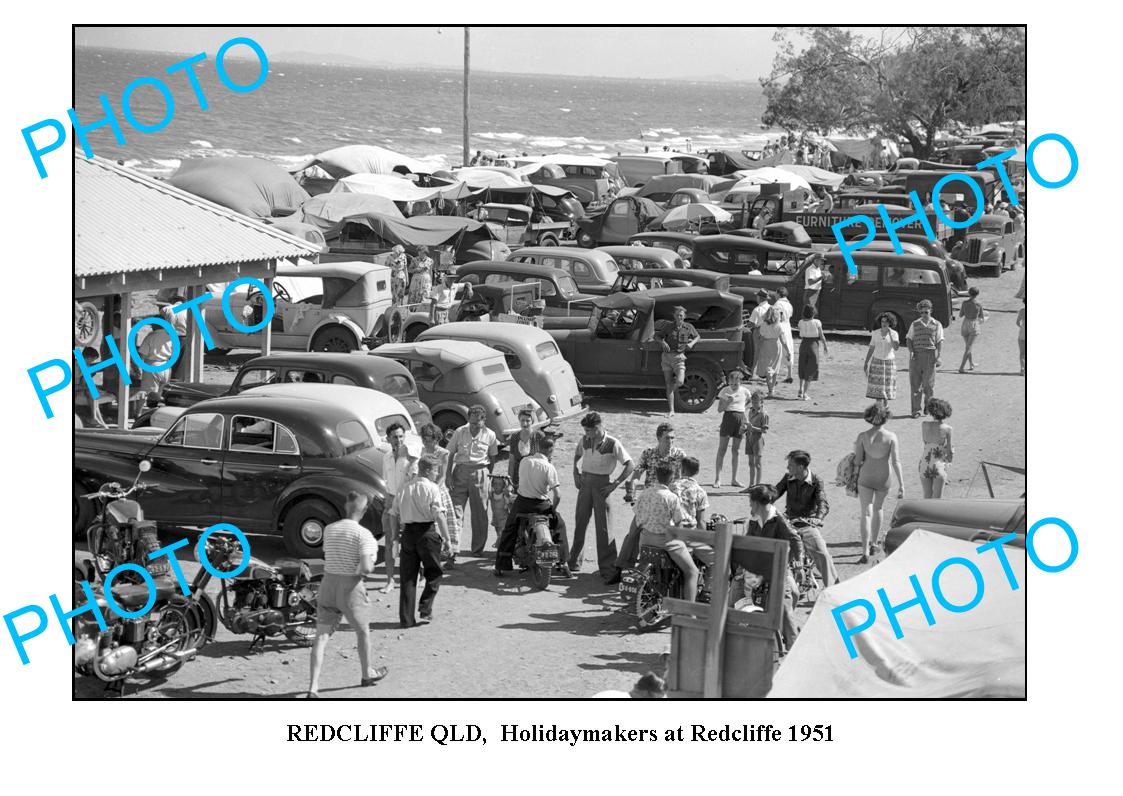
(262, 460)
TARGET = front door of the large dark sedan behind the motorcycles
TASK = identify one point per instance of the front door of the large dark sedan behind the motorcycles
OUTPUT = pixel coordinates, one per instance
(187, 472)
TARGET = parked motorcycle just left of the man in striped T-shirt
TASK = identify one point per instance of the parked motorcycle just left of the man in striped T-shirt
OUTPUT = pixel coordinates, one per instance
(263, 601)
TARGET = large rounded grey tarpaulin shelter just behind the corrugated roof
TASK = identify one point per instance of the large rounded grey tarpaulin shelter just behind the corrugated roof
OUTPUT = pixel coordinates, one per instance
(250, 186)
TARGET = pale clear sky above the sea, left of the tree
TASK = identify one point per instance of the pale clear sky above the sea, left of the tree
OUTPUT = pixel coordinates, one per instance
(663, 53)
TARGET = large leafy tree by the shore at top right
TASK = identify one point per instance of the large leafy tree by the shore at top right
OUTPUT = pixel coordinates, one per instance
(909, 85)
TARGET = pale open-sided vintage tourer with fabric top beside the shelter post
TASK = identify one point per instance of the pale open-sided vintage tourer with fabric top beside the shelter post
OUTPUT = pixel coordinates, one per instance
(316, 308)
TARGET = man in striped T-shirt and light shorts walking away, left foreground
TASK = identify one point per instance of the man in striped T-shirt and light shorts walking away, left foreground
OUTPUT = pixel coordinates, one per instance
(350, 553)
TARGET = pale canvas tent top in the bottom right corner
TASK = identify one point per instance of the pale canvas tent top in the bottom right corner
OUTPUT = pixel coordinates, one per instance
(976, 654)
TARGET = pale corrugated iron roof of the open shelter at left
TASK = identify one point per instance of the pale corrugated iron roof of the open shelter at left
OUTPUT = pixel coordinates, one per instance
(127, 223)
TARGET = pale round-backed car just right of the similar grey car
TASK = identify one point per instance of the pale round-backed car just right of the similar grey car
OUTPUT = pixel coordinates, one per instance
(533, 359)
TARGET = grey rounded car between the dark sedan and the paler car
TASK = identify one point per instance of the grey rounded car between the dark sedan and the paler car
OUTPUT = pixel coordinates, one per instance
(454, 376)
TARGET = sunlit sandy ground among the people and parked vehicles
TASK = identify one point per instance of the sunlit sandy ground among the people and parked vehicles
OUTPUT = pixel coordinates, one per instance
(569, 642)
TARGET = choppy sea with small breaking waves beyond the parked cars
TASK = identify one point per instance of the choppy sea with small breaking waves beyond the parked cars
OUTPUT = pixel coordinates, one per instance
(305, 109)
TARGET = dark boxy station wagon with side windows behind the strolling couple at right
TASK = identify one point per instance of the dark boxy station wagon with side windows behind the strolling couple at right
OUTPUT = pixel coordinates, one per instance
(885, 282)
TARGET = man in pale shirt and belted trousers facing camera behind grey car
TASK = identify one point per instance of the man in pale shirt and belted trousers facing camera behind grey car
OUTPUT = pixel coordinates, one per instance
(473, 451)
